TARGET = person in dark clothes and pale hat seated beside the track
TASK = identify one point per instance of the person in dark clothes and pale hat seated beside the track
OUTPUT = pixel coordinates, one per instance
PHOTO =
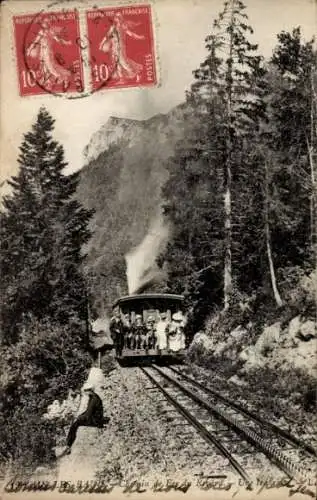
(92, 417)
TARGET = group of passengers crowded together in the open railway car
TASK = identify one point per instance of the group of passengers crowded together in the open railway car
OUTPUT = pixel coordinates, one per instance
(160, 334)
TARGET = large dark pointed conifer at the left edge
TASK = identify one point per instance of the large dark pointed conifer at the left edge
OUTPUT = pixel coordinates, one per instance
(43, 229)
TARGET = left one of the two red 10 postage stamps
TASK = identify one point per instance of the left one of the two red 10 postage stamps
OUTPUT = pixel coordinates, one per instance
(48, 53)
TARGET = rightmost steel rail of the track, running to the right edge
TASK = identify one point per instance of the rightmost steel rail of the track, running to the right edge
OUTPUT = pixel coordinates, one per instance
(286, 435)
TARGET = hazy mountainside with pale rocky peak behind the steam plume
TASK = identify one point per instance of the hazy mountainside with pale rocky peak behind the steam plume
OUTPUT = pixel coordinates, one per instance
(122, 181)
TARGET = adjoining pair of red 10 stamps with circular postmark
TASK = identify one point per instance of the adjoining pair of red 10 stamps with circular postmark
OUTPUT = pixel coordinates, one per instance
(114, 49)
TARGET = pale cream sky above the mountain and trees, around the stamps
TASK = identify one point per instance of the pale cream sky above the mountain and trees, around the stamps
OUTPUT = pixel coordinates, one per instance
(181, 26)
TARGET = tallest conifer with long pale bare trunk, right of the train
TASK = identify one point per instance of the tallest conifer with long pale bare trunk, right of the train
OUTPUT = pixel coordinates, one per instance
(236, 83)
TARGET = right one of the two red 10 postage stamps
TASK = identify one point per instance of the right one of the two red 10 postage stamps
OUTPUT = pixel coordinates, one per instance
(121, 47)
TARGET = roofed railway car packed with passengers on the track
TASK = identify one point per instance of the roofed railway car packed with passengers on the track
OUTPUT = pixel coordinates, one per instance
(149, 327)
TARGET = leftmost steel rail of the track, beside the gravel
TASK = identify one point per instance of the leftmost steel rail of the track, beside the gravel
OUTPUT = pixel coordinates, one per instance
(205, 434)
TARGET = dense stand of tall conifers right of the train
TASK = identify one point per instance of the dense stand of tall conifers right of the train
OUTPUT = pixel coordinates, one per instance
(241, 193)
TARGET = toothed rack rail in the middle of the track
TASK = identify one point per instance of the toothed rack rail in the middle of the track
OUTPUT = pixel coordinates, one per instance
(272, 452)
